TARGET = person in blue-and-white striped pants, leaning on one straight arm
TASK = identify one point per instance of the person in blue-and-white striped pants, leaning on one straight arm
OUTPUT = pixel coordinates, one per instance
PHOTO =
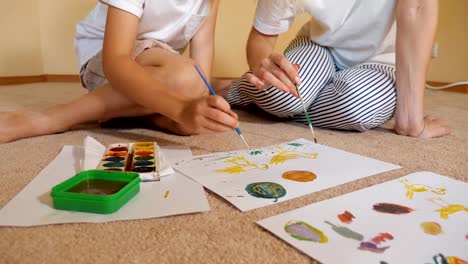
(355, 67)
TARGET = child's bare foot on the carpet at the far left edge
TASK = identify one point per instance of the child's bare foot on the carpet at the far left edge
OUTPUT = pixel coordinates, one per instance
(18, 125)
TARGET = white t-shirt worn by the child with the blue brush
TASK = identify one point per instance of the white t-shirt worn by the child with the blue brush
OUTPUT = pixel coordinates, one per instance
(173, 22)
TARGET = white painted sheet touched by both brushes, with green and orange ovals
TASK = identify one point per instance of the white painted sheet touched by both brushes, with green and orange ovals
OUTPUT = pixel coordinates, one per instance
(331, 167)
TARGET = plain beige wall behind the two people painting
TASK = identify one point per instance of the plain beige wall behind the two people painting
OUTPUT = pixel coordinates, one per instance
(38, 38)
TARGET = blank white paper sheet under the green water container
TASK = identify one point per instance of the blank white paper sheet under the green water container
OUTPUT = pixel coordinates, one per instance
(33, 205)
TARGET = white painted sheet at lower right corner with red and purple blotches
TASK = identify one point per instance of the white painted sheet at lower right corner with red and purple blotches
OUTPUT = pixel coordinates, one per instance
(410, 244)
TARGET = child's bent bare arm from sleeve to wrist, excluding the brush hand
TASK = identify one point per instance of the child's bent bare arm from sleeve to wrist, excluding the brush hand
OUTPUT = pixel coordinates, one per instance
(127, 76)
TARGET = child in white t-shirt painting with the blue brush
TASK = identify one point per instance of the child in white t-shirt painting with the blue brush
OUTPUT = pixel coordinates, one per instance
(131, 62)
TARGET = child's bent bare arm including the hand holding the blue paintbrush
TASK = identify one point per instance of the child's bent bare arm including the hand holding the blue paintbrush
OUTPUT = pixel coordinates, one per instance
(202, 115)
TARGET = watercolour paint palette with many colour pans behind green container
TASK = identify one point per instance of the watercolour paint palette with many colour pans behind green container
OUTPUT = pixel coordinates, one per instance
(139, 157)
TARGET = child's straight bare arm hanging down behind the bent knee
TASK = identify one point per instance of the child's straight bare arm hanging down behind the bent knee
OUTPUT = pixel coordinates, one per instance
(202, 44)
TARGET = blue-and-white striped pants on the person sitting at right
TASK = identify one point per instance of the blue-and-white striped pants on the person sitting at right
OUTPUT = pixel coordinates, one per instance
(357, 98)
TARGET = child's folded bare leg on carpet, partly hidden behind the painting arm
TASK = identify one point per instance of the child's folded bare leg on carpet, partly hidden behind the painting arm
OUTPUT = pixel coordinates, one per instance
(105, 103)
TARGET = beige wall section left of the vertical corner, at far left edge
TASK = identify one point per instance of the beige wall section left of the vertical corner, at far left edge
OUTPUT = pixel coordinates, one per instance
(20, 48)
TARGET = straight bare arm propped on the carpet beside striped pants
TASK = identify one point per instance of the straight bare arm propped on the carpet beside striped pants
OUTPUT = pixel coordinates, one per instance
(416, 28)
